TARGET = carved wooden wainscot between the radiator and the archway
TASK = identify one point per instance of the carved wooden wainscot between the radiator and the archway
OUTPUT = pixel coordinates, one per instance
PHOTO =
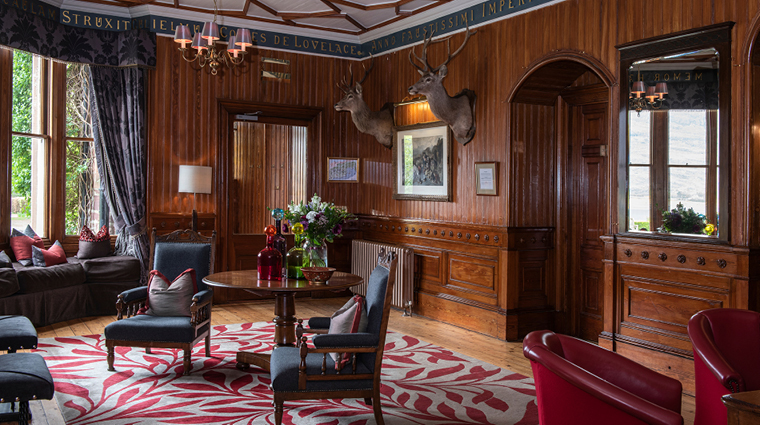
(493, 280)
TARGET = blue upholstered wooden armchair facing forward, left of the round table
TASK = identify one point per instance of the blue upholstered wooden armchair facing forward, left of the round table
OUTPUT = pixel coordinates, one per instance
(171, 255)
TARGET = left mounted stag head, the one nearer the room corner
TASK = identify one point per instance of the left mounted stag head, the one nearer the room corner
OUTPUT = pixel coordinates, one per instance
(378, 124)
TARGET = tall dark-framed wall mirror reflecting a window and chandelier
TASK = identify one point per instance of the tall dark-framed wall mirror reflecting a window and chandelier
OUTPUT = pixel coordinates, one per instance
(674, 134)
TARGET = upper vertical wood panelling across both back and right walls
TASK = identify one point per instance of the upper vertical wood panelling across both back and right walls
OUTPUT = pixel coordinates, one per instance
(183, 126)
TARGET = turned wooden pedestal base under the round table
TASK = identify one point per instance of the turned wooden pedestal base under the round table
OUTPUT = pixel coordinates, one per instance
(284, 332)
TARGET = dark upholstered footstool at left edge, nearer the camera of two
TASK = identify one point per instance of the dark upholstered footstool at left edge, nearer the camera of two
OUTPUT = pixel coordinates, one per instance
(23, 377)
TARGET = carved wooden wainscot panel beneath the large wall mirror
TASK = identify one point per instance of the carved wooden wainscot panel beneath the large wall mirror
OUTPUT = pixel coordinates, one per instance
(654, 285)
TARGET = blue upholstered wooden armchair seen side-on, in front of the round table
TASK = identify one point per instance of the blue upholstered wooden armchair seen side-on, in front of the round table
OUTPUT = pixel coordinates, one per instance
(360, 377)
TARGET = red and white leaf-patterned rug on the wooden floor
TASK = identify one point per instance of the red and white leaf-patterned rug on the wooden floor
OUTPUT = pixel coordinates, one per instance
(421, 384)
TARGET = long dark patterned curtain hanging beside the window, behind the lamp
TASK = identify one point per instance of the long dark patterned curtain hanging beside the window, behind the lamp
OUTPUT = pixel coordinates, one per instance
(118, 97)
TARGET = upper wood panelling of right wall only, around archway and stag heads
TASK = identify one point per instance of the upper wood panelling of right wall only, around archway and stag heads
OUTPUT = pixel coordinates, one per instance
(500, 54)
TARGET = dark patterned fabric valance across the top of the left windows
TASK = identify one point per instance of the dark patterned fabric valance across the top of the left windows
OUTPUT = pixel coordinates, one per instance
(46, 37)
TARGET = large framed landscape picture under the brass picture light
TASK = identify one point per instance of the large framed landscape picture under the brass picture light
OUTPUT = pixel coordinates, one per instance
(422, 162)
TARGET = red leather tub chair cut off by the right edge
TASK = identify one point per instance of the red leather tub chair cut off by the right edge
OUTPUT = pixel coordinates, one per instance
(726, 345)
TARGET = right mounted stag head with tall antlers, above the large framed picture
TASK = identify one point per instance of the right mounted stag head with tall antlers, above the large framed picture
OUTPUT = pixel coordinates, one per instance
(458, 111)
